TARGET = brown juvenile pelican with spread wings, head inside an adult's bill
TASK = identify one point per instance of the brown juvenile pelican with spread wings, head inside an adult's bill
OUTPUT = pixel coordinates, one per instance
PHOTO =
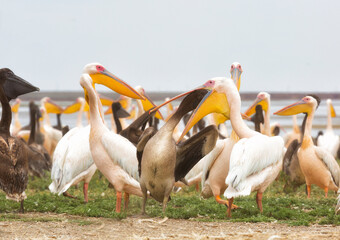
(163, 161)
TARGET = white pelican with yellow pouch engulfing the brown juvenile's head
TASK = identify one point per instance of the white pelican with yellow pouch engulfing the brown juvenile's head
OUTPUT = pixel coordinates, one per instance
(255, 159)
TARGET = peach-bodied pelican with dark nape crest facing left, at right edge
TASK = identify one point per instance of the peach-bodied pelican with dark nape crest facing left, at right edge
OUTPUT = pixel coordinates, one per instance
(317, 164)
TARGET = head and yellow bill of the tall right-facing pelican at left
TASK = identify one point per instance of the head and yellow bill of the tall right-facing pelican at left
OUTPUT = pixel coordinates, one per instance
(102, 76)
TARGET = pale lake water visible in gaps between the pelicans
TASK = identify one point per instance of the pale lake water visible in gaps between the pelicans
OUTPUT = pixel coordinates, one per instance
(319, 122)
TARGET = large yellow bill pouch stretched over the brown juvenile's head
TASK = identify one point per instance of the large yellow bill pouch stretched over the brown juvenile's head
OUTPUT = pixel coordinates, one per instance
(212, 102)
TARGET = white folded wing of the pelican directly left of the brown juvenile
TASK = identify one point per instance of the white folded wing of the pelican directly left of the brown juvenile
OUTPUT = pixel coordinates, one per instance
(122, 152)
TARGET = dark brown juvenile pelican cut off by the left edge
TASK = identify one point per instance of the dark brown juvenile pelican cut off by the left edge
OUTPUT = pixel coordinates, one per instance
(13, 151)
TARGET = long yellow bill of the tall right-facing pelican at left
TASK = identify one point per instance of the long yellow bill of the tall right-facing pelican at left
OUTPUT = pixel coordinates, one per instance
(116, 84)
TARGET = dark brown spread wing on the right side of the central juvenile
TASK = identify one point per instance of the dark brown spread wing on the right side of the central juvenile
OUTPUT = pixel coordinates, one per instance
(194, 149)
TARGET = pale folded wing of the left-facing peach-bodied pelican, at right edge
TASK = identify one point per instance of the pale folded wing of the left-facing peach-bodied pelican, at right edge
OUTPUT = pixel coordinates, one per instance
(330, 163)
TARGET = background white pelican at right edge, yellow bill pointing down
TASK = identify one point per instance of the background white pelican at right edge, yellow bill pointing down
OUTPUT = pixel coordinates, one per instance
(329, 139)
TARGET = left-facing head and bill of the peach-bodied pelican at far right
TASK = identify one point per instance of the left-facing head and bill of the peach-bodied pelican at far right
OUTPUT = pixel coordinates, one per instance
(306, 105)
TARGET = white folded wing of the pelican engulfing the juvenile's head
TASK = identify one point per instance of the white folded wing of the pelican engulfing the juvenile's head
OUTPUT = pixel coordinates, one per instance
(252, 155)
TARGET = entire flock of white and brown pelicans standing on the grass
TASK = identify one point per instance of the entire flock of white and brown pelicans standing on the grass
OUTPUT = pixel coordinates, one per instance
(147, 161)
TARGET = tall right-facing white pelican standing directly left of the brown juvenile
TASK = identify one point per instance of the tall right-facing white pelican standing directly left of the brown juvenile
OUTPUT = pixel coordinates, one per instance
(107, 148)
